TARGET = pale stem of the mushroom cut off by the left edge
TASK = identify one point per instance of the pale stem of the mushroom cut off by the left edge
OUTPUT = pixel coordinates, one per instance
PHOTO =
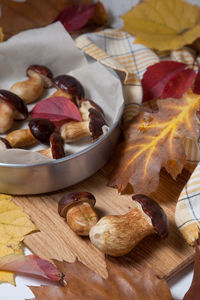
(6, 117)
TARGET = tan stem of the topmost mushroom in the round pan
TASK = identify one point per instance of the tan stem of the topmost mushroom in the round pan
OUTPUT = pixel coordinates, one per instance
(30, 89)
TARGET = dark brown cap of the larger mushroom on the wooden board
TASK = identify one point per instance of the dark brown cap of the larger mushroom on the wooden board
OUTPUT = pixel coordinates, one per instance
(155, 212)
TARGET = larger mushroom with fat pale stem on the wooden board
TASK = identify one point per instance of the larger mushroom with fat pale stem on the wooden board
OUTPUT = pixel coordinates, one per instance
(118, 235)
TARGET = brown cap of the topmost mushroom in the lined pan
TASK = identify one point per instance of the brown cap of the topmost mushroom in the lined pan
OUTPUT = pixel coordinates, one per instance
(43, 71)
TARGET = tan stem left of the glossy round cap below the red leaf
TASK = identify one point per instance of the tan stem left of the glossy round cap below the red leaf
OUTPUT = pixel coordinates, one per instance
(21, 138)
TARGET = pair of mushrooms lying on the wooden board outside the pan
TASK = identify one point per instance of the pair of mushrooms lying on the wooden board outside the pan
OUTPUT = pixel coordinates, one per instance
(113, 235)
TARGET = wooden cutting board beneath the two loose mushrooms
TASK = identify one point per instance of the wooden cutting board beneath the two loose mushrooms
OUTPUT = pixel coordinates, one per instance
(56, 240)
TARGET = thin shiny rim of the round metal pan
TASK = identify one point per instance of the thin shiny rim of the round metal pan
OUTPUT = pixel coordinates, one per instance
(73, 155)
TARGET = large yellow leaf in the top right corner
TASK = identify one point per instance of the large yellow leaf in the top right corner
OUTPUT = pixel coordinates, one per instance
(163, 24)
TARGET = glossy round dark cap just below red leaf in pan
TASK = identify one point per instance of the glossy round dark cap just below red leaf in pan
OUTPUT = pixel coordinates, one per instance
(41, 129)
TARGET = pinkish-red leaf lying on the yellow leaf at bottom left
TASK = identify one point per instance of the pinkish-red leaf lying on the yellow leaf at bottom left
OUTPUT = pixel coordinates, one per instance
(31, 265)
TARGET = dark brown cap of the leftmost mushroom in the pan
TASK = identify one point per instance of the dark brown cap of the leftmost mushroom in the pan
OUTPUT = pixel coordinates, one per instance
(18, 105)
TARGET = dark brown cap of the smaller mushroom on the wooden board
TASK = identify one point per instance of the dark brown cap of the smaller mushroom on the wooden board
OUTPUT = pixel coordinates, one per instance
(73, 198)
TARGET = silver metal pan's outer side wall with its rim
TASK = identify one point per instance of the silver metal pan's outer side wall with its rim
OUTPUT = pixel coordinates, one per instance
(23, 179)
